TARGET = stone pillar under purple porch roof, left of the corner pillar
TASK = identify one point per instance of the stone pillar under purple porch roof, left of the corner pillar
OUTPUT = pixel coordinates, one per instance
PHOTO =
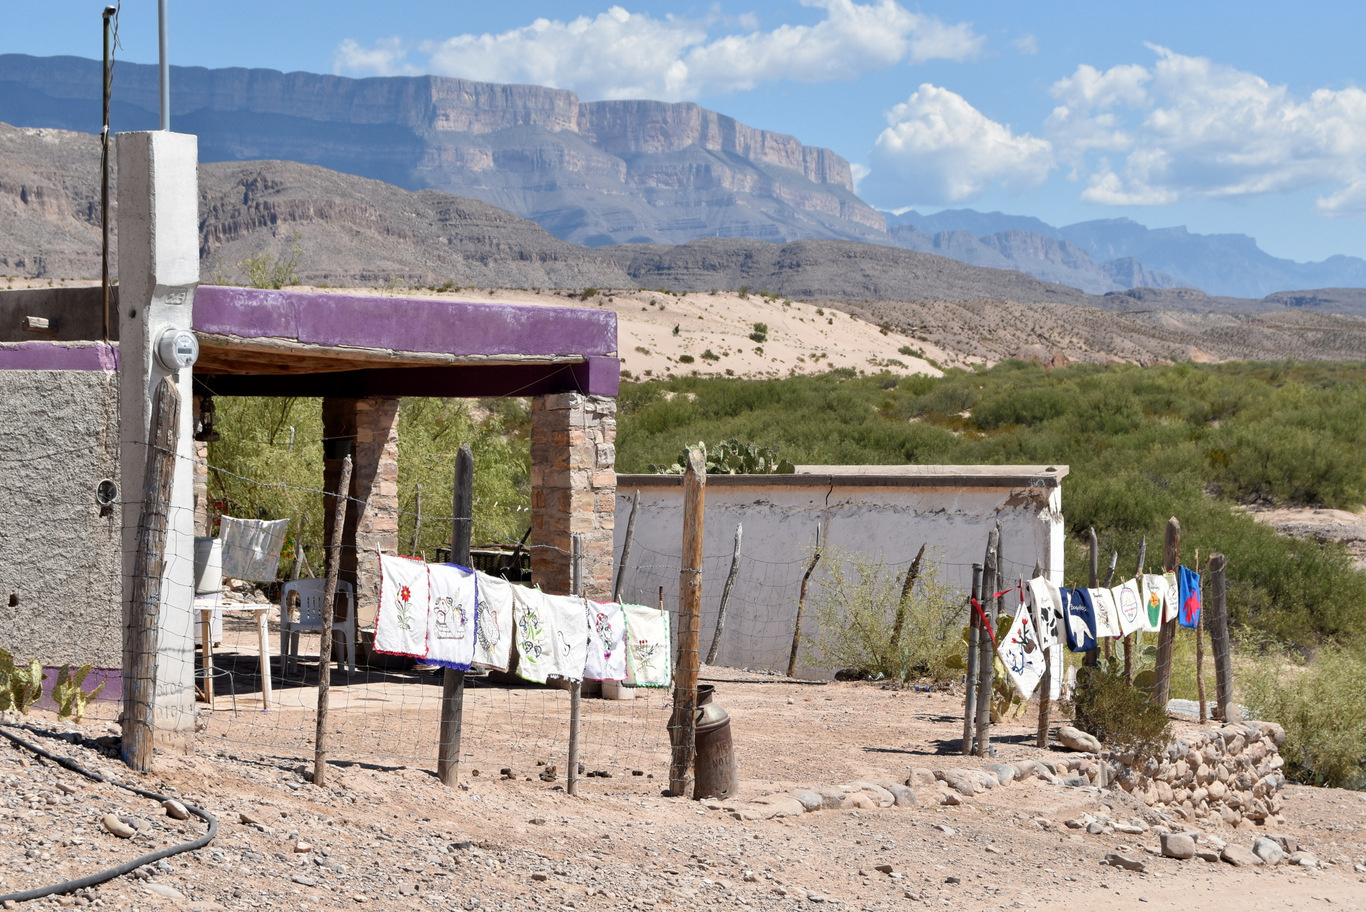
(368, 429)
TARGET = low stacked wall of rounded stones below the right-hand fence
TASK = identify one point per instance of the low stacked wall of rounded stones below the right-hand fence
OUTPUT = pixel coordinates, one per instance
(1233, 773)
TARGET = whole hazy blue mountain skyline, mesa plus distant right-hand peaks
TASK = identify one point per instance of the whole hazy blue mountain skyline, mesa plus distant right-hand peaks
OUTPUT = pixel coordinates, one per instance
(622, 173)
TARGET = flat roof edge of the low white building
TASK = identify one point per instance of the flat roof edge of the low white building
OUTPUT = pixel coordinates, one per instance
(876, 477)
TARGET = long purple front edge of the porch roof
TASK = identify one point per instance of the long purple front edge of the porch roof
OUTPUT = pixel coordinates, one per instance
(405, 324)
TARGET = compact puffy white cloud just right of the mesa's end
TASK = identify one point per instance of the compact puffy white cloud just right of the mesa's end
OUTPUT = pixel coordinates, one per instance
(940, 149)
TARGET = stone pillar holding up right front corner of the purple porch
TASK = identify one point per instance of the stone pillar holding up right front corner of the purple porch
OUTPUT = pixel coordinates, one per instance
(573, 489)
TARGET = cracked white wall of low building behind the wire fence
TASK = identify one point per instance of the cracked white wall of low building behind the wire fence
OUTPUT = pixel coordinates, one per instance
(883, 518)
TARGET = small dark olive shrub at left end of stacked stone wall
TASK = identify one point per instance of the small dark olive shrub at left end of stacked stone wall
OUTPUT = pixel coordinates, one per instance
(1117, 712)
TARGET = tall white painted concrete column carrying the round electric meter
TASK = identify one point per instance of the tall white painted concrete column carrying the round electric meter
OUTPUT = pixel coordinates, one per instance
(159, 270)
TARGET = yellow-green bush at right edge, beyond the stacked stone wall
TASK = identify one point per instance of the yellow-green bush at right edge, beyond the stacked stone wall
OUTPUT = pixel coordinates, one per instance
(1323, 708)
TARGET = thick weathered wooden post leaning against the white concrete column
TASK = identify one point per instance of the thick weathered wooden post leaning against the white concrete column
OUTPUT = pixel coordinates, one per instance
(148, 567)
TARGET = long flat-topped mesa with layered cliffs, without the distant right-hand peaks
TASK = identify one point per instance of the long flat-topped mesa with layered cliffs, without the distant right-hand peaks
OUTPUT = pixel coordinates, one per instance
(592, 173)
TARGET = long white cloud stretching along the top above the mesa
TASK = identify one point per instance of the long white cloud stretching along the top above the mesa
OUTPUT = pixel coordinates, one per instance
(632, 55)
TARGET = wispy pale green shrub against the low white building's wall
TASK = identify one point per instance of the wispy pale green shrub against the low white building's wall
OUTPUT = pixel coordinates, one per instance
(857, 603)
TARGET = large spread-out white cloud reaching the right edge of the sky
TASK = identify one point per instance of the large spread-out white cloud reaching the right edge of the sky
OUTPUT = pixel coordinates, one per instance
(1193, 129)
